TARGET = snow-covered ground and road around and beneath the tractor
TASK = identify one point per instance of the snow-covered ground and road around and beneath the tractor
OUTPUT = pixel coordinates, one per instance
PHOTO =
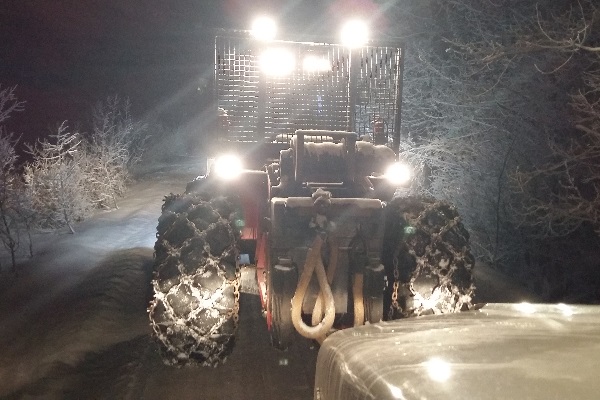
(74, 323)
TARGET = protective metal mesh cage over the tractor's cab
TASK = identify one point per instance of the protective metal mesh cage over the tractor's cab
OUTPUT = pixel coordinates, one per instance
(320, 92)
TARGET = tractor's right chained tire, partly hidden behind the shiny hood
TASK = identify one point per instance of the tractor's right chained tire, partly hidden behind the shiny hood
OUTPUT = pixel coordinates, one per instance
(426, 250)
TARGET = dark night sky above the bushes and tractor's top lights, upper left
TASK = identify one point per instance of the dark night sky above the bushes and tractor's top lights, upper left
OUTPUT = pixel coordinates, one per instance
(65, 55)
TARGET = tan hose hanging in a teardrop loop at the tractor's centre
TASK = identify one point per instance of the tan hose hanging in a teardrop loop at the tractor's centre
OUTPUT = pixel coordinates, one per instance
(313, 264)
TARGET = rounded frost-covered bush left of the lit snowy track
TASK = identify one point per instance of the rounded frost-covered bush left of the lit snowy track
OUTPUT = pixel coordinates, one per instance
(56, 180)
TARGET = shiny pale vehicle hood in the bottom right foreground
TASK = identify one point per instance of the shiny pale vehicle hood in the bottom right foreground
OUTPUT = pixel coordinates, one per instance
(502, 351)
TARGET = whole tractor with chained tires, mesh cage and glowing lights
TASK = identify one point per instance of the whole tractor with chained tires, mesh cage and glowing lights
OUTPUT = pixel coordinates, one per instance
(304, 197)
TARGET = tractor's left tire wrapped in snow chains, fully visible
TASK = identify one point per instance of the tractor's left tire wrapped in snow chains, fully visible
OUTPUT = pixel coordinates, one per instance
(194, 310)
